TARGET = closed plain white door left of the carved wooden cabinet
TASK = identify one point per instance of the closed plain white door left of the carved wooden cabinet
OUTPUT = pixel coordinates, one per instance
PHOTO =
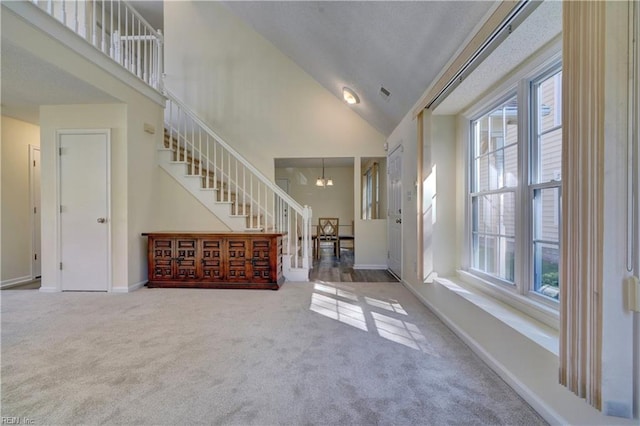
(84, 210)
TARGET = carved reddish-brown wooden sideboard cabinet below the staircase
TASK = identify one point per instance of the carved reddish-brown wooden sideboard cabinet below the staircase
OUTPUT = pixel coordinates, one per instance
(214, 260)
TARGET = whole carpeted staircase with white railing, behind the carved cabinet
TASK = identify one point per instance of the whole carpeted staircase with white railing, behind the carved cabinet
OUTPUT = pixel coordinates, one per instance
(231, 188)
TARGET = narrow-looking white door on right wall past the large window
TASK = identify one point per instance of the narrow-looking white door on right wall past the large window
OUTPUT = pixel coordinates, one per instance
(394, 187)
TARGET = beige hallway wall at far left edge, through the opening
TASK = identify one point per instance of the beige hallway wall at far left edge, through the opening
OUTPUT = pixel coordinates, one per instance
(16, 215)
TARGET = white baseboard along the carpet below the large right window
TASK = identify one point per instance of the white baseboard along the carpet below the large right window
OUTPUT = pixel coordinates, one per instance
(549, 414)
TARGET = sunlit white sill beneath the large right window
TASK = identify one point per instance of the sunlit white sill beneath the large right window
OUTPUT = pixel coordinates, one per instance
(535, 330)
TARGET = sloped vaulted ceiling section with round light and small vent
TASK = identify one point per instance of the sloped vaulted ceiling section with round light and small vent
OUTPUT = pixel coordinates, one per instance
(398, 45)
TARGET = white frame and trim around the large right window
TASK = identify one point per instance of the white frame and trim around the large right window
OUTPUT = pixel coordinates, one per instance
(516, 295)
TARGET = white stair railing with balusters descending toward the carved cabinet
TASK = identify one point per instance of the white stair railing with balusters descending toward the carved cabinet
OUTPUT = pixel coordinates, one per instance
(235, 181)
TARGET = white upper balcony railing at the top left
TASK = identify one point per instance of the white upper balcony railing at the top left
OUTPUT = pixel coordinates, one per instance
(116, 29)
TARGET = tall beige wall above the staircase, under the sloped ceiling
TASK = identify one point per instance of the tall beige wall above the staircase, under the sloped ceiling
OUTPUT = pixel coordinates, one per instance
(255, 97)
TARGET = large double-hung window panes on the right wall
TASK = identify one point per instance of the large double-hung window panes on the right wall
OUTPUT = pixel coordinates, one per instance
(515, 188)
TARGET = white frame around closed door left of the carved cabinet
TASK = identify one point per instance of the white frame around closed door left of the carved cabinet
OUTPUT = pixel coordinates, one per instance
(59, 134)
